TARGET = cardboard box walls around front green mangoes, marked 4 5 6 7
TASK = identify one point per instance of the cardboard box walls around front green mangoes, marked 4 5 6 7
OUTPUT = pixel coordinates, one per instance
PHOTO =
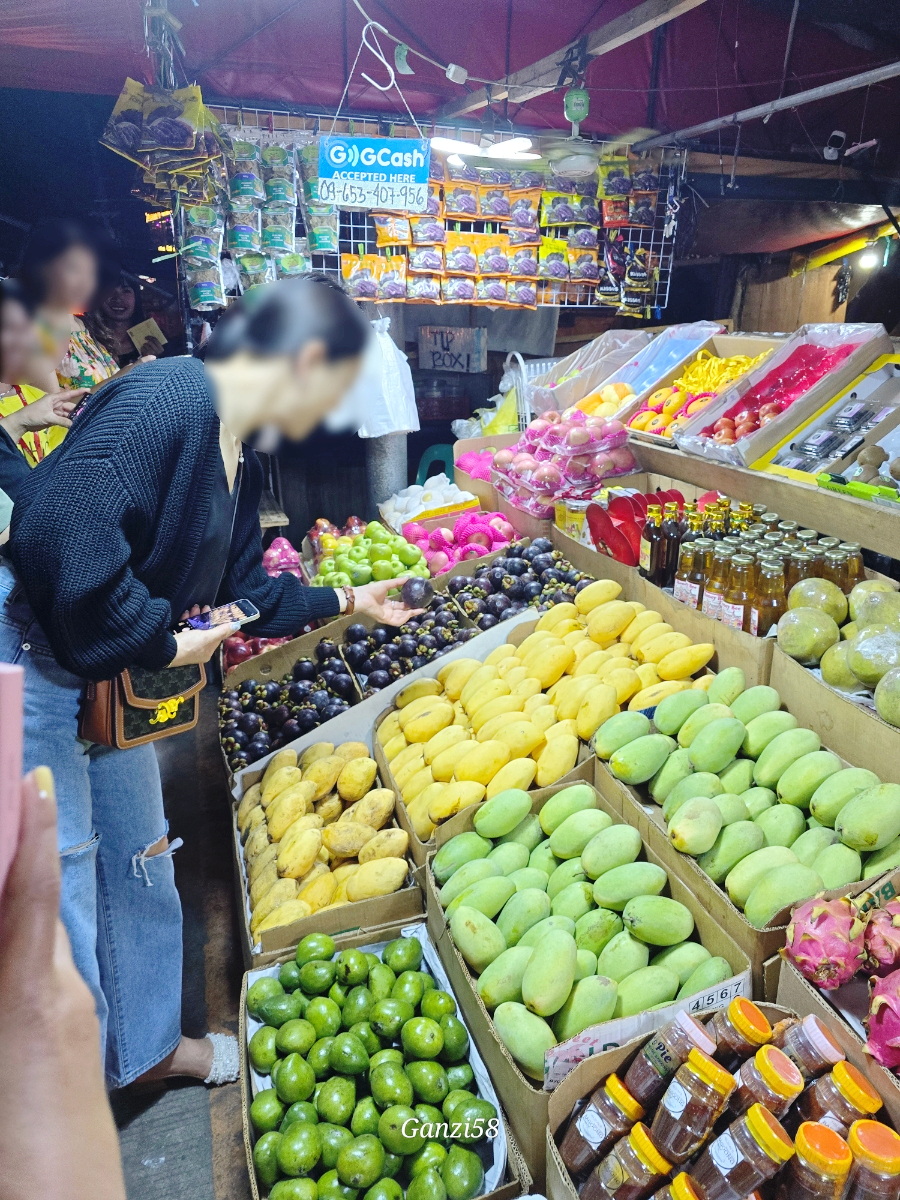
(526, 1103)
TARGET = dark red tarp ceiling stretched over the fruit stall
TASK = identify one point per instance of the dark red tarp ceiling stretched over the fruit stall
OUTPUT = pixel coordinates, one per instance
(724, 56)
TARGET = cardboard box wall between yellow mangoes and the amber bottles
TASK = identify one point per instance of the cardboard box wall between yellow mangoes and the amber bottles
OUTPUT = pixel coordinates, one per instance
(734, 649)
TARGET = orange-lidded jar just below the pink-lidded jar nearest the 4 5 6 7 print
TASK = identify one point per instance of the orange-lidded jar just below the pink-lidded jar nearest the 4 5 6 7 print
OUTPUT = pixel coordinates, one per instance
(691, 1107)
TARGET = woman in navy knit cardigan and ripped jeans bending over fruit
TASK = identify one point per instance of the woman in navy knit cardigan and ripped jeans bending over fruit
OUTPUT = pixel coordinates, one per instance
(148, 512)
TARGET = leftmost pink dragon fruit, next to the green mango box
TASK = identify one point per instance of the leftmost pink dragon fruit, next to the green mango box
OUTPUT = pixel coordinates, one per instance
(826, 941)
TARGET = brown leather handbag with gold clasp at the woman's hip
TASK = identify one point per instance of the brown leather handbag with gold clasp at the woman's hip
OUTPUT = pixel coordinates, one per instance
(142, 706)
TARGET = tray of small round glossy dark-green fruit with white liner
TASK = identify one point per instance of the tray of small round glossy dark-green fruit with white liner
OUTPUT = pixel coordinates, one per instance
(500, 1168)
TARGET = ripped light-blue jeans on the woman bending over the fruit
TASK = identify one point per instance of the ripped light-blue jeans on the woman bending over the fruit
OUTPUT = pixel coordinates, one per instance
(119, 905)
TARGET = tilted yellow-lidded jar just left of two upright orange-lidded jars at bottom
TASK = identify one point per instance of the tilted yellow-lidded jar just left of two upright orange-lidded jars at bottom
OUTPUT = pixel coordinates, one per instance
(743, 1157)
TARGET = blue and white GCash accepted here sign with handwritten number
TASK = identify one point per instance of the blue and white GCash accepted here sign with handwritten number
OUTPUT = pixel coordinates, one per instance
(375, 173)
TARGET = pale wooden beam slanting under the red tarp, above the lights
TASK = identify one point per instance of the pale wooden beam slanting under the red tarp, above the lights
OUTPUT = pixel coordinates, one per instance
(542, 77)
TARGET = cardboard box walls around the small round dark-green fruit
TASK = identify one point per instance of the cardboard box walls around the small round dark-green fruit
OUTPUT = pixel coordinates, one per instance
(515, 1180)
